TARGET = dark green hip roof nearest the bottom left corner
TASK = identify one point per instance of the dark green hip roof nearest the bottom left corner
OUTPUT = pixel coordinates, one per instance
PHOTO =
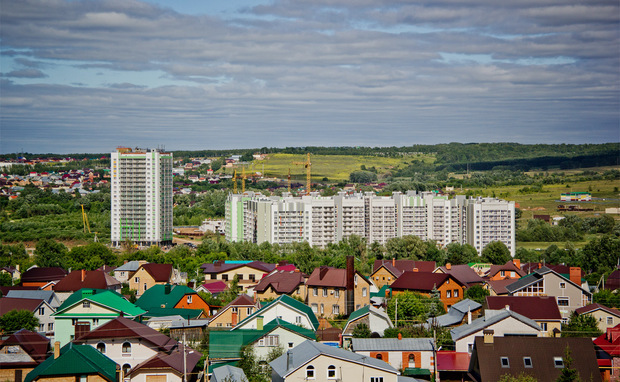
(75, 360)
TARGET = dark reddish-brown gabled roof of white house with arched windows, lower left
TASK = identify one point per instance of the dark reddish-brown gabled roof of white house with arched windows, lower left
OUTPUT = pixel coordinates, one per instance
(122, 327)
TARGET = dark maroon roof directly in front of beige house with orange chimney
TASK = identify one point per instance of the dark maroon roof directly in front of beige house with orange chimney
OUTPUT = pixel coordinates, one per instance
(534, 307)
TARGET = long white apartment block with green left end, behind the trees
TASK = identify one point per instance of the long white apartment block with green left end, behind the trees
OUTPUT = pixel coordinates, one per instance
(320, 220)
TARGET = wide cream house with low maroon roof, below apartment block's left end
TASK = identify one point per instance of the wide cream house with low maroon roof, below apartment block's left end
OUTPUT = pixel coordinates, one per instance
(248, 273)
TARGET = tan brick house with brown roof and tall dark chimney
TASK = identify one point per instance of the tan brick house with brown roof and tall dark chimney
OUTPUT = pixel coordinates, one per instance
(334, 291)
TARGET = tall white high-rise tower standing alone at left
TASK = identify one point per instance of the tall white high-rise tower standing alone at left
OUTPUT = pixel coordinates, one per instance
(141, 197)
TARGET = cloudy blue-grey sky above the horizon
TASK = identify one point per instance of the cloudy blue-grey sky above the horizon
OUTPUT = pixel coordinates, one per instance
(89, 76)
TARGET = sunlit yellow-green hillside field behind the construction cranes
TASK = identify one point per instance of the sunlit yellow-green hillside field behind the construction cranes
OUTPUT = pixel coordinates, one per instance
(334, 167)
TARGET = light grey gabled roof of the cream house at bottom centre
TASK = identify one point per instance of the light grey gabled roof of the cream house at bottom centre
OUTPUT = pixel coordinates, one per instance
(308, 350)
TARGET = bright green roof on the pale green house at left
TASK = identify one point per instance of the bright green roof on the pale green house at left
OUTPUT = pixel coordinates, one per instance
(107, 298)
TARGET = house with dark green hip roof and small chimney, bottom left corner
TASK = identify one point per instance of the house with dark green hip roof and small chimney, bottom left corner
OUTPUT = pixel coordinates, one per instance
(75, 363)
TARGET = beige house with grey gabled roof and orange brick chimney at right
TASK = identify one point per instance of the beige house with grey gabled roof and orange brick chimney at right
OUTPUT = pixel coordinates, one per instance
(568, 293)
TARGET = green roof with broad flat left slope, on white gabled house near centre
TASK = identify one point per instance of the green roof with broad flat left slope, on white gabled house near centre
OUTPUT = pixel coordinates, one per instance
(228, 344)
